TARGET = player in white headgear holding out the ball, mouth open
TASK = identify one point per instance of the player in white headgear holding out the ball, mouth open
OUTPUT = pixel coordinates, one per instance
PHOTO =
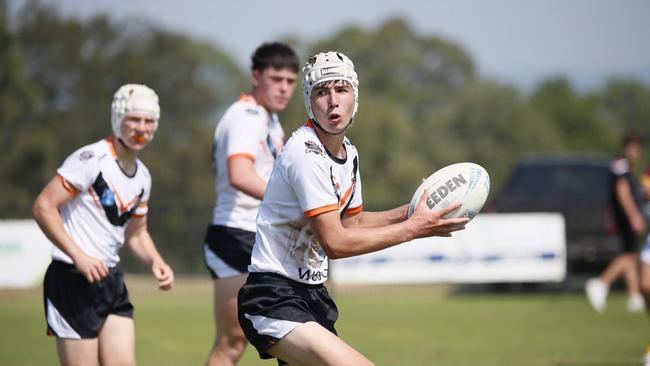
(312, 210)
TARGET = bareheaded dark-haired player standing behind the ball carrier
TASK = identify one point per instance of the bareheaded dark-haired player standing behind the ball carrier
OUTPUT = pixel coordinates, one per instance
(246, 142)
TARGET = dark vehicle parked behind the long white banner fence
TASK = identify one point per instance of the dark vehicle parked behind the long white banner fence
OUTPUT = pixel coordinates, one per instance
(578, 187)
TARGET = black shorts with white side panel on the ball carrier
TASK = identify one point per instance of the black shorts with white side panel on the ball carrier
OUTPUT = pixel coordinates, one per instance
(270, 306)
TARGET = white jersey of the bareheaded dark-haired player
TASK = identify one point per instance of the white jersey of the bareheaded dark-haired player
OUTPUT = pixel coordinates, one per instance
(245, 130)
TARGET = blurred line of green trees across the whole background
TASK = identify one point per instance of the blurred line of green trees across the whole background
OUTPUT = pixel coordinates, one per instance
(422, 106)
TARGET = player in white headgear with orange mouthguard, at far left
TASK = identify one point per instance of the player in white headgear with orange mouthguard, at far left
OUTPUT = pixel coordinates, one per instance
(96, 202)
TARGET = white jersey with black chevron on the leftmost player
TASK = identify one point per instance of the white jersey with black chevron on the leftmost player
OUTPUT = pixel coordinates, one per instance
(105, 198)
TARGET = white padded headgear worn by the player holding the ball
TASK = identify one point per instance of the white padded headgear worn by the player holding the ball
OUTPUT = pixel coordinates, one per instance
(328, 66)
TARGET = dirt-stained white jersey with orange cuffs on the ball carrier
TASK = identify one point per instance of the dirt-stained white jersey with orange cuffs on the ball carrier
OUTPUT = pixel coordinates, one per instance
(306, 181)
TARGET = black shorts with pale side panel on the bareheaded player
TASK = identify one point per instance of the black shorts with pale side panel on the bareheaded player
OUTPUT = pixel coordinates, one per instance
(227, 251)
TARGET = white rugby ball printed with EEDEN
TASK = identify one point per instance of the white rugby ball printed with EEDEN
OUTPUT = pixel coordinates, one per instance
(468, 183)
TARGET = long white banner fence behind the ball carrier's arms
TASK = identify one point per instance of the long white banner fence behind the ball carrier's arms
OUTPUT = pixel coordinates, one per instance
(493, 248)
